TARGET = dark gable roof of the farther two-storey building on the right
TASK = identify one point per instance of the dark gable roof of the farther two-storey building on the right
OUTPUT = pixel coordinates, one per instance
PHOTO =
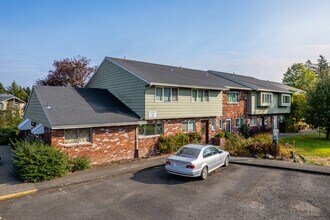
(254, 83)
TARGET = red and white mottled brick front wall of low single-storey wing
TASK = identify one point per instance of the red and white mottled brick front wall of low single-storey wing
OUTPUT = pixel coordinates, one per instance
(108, 144)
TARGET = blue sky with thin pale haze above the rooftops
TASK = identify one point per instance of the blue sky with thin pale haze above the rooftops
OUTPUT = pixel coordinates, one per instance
(257, 38)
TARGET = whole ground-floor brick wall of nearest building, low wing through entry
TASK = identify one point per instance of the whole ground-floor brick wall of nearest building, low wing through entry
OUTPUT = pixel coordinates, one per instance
(117, 143)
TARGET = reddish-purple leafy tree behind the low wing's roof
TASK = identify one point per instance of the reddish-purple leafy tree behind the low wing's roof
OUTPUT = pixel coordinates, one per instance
(68, 72)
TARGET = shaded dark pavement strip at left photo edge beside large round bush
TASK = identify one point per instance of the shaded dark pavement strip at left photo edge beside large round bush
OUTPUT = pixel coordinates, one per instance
(7, 175)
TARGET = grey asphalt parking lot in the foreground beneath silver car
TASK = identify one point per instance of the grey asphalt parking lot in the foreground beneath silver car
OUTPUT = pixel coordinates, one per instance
(235, 192)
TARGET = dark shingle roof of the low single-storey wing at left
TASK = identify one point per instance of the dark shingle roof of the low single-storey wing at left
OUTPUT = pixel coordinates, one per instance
(70, 107)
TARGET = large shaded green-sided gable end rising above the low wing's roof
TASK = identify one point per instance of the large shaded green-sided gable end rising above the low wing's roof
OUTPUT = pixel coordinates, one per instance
(127, 87)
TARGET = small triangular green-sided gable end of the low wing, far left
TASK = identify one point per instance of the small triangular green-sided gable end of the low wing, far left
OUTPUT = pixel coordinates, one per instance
(34, 111)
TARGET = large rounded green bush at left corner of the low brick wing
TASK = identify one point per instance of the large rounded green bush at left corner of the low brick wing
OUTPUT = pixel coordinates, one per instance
(34, 162)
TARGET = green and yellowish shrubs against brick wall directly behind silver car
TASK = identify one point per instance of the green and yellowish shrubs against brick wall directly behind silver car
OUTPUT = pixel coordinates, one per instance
(169, 144)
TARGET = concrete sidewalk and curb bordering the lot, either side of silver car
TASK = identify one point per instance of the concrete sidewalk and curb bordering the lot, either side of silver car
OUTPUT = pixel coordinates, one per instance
(8, 191)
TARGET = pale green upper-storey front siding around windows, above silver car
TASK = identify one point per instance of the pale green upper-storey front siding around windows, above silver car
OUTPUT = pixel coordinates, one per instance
(184, 108)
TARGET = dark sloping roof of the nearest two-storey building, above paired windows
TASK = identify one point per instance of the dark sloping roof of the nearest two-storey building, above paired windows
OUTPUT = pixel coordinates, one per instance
(165, 75)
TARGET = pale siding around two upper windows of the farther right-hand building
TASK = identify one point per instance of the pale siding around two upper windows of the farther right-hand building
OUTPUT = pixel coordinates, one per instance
(274, 108)
